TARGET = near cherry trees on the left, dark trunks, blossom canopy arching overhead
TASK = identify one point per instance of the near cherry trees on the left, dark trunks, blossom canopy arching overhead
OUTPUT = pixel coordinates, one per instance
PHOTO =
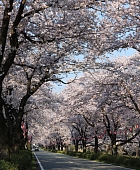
(39, 42)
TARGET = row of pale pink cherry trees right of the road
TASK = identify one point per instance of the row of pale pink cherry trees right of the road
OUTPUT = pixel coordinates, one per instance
(104, 104)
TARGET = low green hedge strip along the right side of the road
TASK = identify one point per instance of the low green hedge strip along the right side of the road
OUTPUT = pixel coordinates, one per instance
(123, 161)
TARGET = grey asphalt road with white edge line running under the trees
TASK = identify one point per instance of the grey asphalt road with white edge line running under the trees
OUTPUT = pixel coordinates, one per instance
(56, 161)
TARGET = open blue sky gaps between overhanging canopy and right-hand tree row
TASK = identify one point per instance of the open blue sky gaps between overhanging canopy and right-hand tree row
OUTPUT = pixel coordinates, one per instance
(125, 52)
